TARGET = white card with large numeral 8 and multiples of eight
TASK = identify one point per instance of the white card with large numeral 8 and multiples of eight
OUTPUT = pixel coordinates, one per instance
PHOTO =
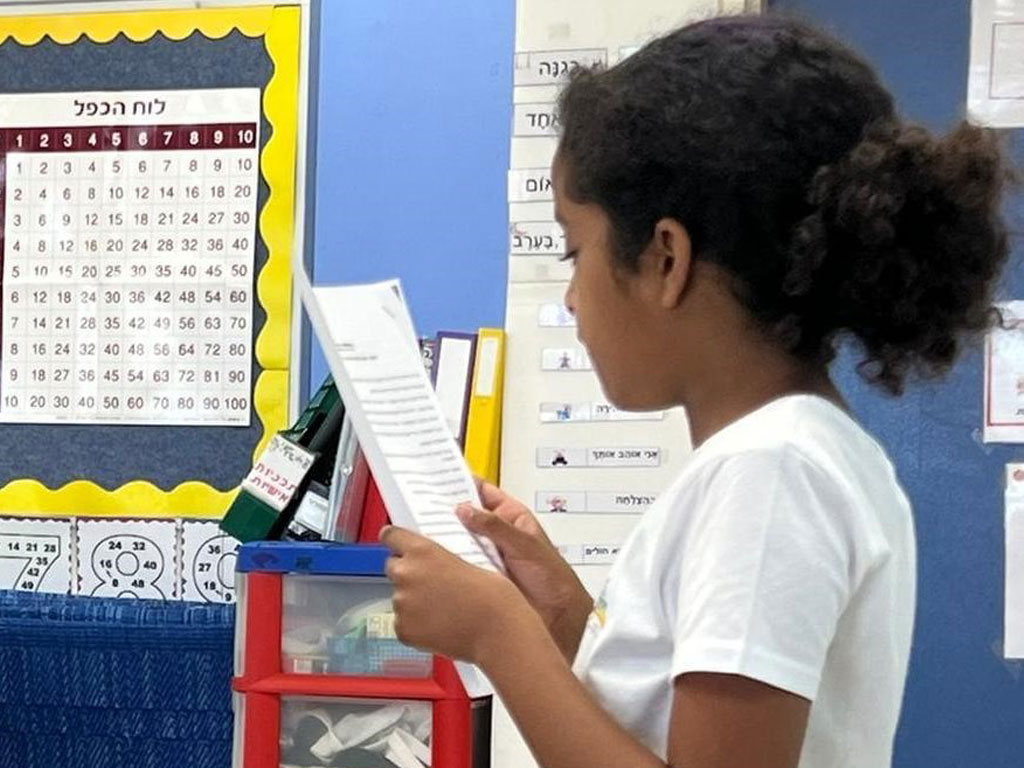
(127, 559)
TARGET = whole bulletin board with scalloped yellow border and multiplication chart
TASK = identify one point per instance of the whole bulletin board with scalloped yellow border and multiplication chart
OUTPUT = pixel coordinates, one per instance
(149, 195)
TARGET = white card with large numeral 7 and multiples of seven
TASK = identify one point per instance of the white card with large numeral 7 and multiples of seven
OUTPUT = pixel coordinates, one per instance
(36, 556)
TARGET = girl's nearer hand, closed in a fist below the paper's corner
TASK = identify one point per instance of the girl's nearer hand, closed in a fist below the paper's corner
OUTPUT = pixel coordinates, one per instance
(445, 606)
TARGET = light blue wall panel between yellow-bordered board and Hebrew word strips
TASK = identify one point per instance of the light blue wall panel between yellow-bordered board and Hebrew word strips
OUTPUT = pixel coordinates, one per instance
(413, 131)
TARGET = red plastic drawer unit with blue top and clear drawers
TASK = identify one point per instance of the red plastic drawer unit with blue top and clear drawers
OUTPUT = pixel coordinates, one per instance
(321, 680)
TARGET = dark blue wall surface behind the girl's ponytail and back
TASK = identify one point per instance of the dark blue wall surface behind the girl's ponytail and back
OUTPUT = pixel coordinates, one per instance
(965, 704)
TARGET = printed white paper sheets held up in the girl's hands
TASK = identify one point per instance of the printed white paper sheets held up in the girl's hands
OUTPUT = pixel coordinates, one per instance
(419, 468)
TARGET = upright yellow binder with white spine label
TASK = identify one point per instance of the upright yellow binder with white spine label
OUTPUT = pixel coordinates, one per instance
(484, 434)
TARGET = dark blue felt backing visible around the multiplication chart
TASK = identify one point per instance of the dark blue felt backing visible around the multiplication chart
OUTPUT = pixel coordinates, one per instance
(112, 456)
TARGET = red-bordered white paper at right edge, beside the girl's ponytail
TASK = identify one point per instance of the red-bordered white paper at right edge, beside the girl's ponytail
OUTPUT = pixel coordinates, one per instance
(1005, 377)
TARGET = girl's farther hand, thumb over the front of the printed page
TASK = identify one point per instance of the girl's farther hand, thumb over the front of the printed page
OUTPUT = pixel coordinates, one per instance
(534, 565)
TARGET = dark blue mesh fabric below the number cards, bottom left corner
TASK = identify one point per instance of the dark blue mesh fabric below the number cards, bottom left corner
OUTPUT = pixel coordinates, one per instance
(106, 684)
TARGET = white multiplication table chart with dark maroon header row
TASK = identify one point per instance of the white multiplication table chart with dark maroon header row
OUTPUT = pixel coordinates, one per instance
(130, 242)
